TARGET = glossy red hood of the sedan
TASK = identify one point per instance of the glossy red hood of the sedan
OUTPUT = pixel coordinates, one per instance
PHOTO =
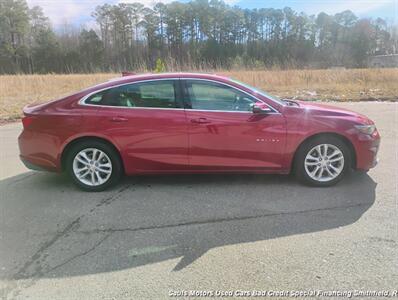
(321, 109)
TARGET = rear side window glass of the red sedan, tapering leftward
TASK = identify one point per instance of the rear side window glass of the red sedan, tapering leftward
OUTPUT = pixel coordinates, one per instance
(157, 94)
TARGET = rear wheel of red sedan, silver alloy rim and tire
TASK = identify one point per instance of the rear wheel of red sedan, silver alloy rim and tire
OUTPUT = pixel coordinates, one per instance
(93, 165)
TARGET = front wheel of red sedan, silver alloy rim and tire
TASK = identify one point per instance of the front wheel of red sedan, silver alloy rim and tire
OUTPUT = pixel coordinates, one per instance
(322, 161)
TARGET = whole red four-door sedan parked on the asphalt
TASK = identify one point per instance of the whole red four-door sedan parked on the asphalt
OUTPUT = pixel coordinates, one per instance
(192, 123)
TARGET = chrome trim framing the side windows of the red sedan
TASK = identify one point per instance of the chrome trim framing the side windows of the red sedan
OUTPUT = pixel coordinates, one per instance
(84, 98)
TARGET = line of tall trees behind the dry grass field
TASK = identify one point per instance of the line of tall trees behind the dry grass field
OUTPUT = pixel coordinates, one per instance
(199, 34)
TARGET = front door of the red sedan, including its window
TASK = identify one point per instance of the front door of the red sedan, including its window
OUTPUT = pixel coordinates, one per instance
(224, 133)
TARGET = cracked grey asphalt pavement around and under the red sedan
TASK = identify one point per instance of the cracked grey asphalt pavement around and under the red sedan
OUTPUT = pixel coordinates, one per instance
(155, 234)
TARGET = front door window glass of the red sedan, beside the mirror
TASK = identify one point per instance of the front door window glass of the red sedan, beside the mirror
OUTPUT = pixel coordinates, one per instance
(205, 95)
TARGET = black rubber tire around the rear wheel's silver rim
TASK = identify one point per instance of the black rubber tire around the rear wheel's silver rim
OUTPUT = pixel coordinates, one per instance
(108, 150)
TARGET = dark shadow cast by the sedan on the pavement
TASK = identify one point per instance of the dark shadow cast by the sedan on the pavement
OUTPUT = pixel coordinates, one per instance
(51, 229)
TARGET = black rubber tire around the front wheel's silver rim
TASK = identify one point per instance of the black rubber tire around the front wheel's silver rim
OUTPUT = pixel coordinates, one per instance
(299, 163)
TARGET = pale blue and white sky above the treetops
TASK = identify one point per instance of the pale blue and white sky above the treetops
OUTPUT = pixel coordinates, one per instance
(78, 12)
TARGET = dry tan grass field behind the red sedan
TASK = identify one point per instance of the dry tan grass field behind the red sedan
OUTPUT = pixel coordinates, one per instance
(328, 85)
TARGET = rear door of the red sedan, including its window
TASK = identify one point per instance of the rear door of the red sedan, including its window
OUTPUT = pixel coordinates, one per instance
(147, 121)
